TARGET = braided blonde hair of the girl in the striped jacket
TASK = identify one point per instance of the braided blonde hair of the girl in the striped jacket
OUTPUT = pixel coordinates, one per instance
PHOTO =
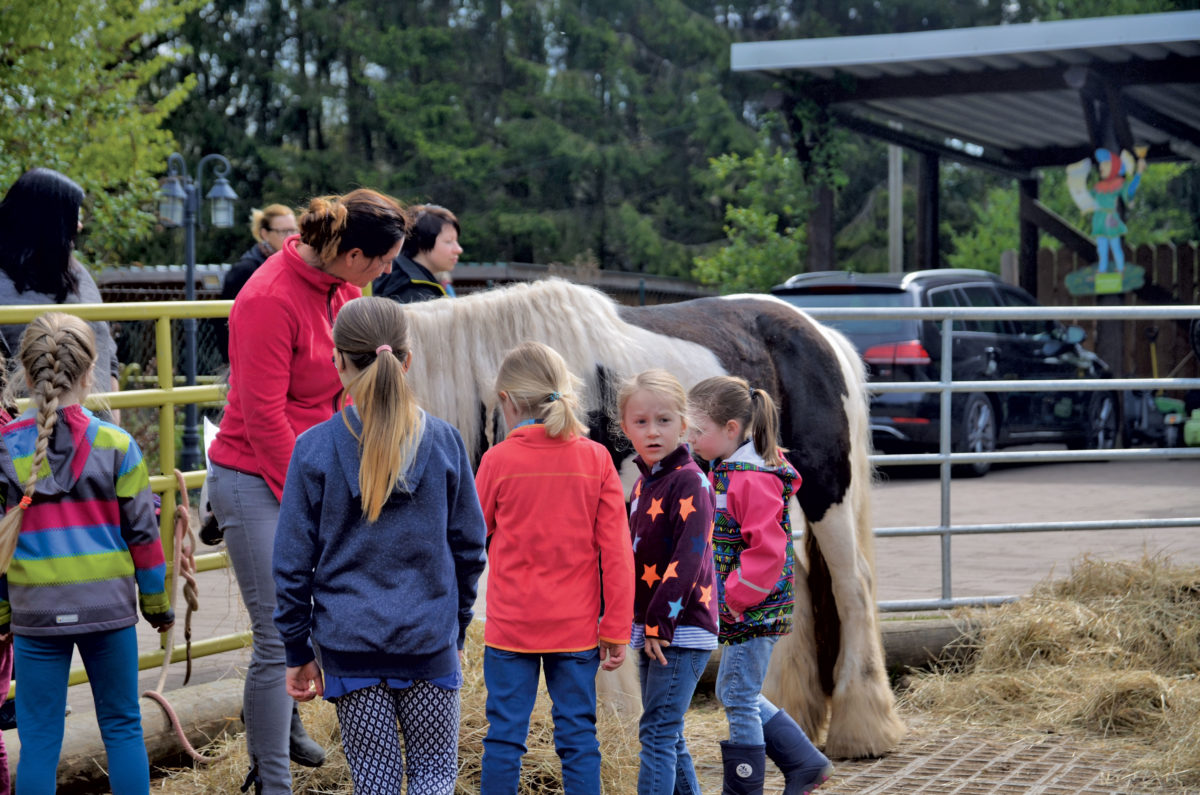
(57, 354)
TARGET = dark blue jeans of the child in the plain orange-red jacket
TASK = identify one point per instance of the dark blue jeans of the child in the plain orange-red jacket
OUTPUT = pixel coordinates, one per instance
(512, 680)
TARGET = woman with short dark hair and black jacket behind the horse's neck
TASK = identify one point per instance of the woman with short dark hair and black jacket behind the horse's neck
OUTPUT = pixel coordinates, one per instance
(431, 252)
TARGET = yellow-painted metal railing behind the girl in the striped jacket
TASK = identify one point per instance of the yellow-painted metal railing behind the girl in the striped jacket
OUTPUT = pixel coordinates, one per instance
(165, 398)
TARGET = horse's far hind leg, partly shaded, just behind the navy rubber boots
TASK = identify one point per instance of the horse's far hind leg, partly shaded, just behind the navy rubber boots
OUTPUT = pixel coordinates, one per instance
(794, 682)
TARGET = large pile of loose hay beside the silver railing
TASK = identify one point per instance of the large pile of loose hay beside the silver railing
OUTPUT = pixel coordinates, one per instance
(1111, 651)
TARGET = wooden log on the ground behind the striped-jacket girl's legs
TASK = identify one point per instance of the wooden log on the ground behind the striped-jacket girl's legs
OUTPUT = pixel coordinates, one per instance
(206, 712)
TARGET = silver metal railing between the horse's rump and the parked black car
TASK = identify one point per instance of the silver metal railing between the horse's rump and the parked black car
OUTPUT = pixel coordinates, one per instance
(946, 459)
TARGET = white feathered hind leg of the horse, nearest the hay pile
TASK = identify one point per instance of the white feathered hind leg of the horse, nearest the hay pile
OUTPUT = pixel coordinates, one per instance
(863, 721)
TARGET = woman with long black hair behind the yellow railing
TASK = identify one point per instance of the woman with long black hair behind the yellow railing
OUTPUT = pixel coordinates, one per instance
(39, 224)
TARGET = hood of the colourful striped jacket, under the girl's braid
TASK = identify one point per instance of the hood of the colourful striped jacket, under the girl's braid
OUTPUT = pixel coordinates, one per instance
(67, 456)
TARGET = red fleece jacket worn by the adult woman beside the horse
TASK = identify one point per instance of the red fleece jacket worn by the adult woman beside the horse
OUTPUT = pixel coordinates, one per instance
(283, 380)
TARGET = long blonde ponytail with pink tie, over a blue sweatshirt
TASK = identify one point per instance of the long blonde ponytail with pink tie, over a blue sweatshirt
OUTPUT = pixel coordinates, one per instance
(382, 394)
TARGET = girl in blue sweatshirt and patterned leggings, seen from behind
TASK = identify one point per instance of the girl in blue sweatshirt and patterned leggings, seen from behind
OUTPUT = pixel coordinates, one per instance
(377, 554)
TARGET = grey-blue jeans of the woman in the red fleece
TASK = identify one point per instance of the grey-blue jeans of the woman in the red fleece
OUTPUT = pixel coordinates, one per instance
(247, 510)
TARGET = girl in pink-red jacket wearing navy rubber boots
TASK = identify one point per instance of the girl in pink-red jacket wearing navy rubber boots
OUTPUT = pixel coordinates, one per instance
(737, 429)
